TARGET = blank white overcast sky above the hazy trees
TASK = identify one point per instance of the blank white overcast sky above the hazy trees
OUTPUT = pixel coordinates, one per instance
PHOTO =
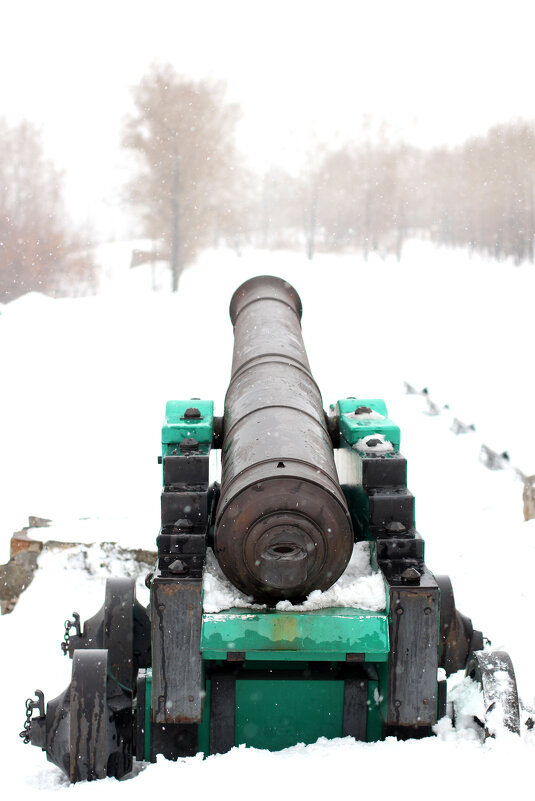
(302, 72)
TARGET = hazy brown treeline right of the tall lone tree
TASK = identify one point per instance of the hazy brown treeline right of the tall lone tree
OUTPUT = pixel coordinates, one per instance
(371, 196)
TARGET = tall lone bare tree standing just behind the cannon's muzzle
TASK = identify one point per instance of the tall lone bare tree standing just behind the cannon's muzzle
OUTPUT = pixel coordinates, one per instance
(183, 134)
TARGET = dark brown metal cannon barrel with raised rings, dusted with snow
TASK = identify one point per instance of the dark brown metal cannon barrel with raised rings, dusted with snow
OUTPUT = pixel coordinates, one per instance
(282, 523)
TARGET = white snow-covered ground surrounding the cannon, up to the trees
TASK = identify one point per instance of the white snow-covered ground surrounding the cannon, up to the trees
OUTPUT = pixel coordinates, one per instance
(84, 387)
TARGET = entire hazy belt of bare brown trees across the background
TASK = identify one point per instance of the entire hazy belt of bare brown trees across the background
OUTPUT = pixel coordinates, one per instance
(190, 190)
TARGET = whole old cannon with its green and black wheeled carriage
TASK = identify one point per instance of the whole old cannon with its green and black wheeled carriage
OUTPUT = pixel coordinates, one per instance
(301, 491)
